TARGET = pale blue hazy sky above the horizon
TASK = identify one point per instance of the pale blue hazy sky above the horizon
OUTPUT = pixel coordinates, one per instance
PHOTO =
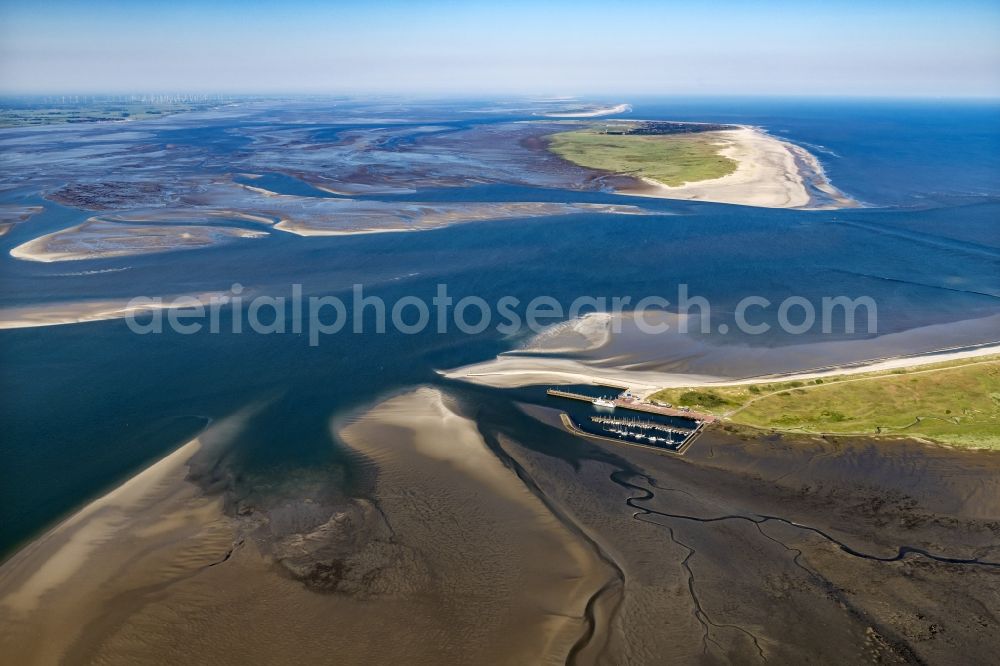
(807, 47)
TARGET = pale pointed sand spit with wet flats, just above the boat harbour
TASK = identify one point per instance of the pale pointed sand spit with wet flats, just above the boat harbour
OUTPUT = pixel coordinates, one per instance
(609, 363)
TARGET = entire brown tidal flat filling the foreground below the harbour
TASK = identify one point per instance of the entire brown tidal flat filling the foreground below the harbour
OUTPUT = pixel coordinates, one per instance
(150, 573)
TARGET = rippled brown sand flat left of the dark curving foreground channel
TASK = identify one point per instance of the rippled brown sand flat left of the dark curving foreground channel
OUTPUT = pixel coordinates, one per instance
(456, 563)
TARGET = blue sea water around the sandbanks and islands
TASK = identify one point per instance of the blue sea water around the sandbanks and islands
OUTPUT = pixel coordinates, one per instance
(86, 405)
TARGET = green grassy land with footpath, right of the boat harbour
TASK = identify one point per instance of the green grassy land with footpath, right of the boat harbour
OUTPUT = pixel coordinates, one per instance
(954, 403)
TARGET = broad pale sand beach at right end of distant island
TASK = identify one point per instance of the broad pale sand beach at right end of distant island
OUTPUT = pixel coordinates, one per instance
(770, 174)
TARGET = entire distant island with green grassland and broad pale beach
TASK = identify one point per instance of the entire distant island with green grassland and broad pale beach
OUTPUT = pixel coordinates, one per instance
(702, 161)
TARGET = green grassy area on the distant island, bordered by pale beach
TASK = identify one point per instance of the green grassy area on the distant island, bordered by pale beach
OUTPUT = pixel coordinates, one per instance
(670, 159)
